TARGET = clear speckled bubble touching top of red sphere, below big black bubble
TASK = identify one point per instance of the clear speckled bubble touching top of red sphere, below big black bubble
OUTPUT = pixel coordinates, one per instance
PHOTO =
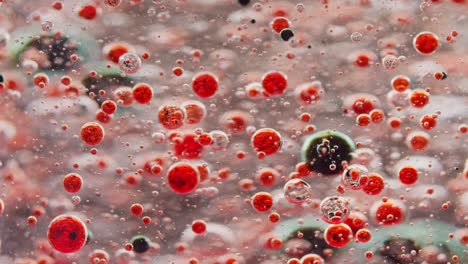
(334, 209)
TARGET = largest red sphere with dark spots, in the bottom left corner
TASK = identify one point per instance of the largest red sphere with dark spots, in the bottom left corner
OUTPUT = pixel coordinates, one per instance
(67, 234)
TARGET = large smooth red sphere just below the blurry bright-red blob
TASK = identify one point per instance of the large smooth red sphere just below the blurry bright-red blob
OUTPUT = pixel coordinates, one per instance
(183, 178)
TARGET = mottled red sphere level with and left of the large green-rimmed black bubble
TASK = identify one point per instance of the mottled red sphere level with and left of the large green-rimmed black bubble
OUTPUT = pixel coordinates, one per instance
(266, 140)
